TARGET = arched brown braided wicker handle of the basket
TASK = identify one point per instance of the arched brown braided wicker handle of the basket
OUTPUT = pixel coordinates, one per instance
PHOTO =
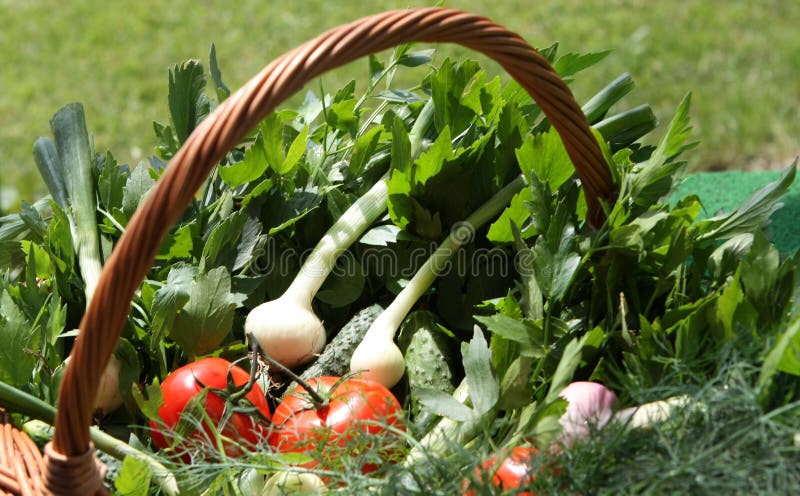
(126, 268)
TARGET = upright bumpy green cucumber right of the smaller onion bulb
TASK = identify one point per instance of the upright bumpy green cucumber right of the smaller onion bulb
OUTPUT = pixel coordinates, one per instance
(432, 359)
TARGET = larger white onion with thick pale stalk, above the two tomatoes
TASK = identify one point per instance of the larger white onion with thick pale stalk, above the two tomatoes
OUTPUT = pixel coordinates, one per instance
(287, 328)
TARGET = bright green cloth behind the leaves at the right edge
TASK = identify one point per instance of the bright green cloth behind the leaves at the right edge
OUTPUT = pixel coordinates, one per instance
(724, 191)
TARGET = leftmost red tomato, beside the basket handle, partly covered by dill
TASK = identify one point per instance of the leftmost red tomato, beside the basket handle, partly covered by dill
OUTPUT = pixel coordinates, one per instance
(184, 383)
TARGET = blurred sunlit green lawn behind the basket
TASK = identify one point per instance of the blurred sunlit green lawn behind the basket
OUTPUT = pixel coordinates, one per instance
(740, 58)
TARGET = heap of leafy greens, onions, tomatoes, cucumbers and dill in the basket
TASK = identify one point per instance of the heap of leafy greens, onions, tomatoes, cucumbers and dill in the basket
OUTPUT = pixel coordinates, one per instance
(396, 290)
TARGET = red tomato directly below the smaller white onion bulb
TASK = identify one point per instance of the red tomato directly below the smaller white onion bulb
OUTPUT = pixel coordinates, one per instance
(355, 406)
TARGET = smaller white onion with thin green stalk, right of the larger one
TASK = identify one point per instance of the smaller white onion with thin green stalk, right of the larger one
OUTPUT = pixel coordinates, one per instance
(377, 357)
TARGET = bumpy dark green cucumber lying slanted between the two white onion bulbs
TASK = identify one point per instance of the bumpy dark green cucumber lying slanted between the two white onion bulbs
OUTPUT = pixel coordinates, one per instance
(335, 358)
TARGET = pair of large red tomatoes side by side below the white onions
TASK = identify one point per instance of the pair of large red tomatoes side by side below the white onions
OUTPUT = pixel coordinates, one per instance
(353, 410)
